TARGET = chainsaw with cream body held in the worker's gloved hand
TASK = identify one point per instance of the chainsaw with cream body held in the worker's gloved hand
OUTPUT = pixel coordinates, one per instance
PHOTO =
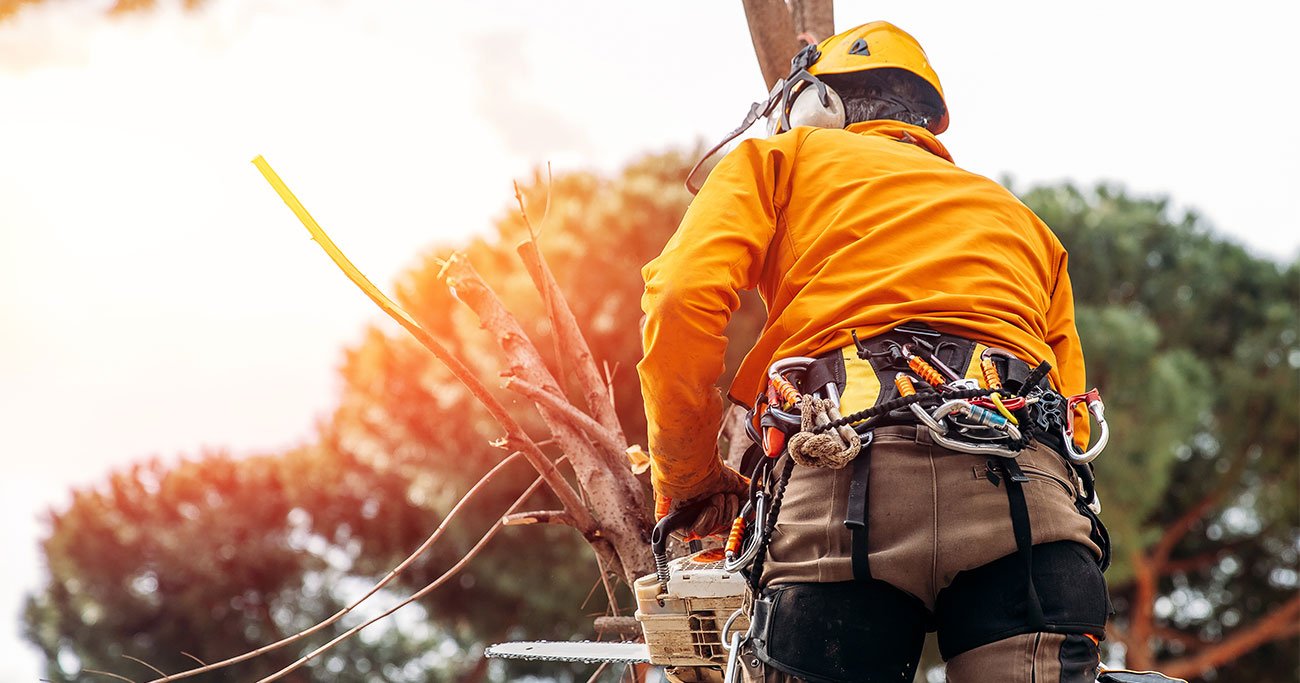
(690, 613)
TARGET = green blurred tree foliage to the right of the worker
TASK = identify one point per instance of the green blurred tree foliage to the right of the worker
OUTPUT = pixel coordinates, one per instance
(1194, 344)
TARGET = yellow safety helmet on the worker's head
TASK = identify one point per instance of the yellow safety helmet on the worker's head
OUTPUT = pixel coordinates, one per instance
(878, 46)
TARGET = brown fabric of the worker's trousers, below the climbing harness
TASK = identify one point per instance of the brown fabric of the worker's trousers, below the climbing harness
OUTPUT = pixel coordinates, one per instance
(933, 515)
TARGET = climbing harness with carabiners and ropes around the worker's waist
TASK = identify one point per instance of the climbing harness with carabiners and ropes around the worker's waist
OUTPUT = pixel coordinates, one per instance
(996, 408)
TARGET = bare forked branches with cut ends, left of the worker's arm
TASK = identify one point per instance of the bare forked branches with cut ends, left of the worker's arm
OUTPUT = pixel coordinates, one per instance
(612, 511)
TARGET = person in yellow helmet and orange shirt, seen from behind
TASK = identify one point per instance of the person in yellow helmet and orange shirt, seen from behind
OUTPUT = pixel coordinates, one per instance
(937, 308)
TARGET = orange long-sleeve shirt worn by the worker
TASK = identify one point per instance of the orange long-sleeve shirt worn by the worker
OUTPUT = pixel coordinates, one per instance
(857, 230)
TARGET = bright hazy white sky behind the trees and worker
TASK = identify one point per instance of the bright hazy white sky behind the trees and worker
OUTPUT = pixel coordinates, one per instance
(157, 299)
